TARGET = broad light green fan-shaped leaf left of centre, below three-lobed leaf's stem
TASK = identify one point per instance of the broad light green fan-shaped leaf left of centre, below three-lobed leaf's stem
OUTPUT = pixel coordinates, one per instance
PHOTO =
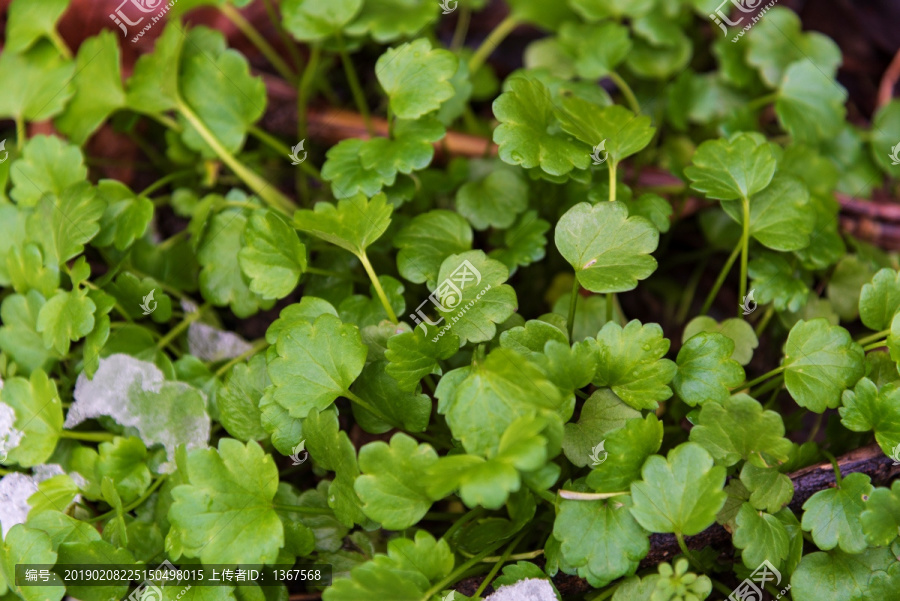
(312, 364)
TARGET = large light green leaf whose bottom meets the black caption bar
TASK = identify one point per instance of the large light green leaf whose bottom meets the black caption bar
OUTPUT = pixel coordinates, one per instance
(224, 513)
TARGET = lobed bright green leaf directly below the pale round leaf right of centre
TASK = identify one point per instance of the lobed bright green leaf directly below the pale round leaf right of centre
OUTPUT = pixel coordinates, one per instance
(632, 363)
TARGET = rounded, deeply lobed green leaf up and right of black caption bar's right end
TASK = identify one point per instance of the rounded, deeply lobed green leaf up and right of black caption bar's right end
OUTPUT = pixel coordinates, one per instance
(393, 484)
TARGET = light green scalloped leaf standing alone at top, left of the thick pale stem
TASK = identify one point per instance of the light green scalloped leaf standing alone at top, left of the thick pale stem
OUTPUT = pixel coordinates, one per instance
(416, 77)
